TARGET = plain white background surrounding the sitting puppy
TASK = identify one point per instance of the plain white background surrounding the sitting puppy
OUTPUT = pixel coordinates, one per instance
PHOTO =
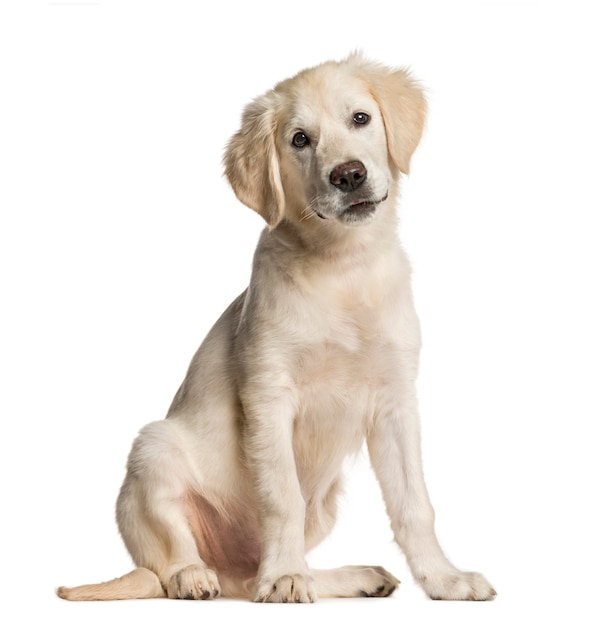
(120, 244)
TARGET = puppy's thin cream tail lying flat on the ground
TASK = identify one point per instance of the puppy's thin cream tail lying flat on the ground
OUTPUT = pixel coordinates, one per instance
(138, 584)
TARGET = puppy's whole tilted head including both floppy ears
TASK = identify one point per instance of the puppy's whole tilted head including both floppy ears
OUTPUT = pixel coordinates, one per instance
(327, 144)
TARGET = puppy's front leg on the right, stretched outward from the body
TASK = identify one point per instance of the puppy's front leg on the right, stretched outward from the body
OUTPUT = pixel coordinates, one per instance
(394, 445)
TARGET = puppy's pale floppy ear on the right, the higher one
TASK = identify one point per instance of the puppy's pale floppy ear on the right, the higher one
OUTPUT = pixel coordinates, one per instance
(403, 106)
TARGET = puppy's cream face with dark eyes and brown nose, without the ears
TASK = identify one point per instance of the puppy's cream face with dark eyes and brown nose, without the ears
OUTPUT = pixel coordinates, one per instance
(332, 148)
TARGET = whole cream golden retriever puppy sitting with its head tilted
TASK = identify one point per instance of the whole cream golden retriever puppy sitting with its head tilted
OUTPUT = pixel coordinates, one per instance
(320, 353)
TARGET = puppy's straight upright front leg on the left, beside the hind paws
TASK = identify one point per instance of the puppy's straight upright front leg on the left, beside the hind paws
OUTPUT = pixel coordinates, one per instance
(267, 442)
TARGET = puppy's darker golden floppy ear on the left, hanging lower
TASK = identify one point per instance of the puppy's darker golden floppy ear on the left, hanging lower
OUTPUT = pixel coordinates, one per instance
(251, 161)
